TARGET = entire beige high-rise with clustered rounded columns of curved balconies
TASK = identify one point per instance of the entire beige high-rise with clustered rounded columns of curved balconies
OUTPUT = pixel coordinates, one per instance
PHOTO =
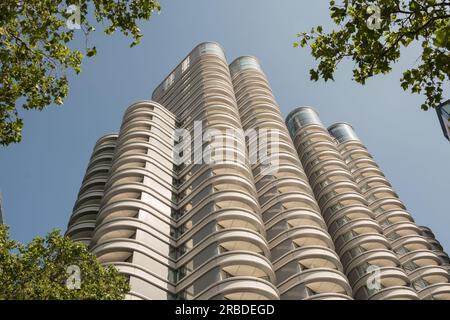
(159, 202)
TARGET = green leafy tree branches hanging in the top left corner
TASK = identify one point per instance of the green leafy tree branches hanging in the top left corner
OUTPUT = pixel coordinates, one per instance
(35, 54)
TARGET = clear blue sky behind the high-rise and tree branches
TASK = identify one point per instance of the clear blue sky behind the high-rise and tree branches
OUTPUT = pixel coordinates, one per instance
(40, 177)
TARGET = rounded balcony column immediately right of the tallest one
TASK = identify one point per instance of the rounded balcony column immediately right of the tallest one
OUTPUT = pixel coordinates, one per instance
(302, 251)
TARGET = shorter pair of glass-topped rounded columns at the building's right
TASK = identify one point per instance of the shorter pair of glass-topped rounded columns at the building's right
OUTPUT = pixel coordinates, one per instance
(372, 231)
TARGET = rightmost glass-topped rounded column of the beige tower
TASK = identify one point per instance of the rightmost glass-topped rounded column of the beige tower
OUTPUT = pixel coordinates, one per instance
(422, 265)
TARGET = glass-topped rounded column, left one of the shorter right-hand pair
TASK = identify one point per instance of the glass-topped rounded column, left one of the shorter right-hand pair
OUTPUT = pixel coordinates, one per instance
(371, 267)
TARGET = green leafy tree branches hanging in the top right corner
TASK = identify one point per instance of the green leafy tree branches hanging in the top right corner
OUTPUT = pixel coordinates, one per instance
(372, 34)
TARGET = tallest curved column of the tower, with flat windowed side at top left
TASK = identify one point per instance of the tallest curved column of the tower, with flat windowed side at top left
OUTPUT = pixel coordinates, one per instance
(221, 248)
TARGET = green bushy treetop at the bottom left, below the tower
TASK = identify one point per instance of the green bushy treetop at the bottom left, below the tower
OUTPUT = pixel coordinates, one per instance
(55, 267)
